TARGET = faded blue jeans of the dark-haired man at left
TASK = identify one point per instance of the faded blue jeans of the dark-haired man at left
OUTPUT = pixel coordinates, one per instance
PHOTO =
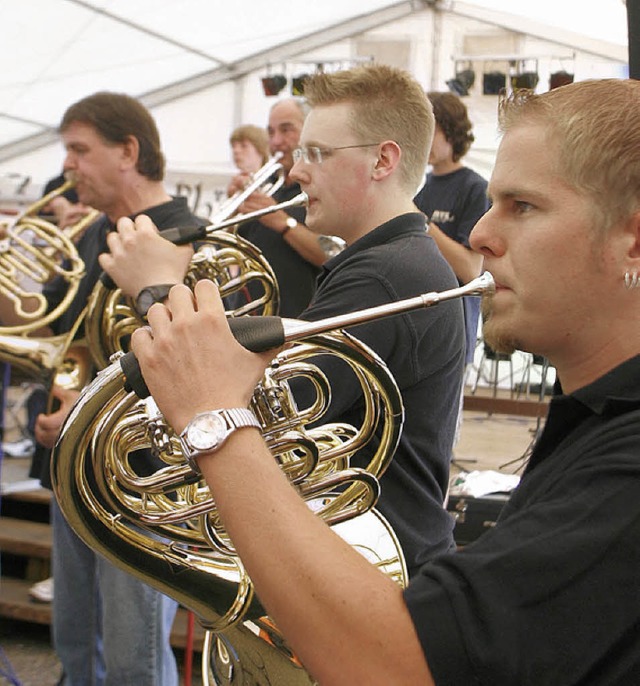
(109, 628)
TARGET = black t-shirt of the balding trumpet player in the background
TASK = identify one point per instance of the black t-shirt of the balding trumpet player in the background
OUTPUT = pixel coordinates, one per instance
(296, 277)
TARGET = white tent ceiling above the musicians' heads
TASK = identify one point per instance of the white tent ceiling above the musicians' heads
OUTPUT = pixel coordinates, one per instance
(57, 51)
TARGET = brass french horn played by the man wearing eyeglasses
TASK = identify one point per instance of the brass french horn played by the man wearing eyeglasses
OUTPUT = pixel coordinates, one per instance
(228, 259)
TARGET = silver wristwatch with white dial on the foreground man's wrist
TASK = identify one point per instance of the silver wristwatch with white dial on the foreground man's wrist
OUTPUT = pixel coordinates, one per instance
(207, 431)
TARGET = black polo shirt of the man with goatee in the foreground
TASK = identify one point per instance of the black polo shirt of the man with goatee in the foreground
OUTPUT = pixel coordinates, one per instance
(550, 595)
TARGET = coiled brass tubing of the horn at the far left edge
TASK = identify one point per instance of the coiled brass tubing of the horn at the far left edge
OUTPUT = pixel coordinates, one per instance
(36, 250)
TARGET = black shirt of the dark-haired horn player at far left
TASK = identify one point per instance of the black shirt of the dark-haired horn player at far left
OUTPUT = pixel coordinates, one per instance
(173, 213)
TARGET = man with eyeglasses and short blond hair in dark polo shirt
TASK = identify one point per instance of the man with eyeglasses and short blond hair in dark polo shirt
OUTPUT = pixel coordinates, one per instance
(362, 155)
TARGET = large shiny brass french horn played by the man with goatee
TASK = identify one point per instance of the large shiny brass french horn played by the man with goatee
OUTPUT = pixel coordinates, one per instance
(165, 529)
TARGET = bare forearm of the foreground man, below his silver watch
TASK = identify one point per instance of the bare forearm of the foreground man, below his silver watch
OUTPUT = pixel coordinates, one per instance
(323, 595)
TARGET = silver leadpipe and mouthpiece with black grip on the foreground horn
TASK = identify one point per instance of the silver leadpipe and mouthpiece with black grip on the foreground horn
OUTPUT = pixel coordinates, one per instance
(259, 334)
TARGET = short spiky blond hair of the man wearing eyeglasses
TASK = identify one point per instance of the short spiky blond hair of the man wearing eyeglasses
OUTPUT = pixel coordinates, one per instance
(388, 104)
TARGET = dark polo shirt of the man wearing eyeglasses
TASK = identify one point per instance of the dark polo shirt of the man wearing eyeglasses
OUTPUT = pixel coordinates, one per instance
(424, 351)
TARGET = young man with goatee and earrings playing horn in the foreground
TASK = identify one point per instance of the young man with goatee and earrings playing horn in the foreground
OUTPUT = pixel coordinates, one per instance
(549, 596)
